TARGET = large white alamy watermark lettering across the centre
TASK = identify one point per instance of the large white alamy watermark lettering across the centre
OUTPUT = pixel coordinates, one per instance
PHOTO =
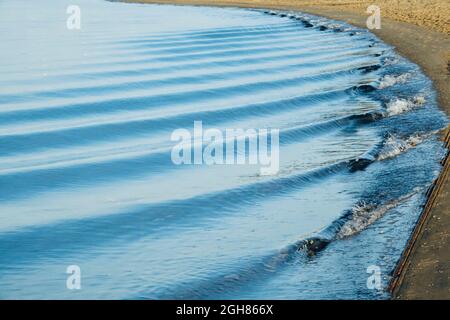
(231, 147)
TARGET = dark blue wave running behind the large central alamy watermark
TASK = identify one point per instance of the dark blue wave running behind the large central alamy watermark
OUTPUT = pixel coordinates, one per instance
(89, 169)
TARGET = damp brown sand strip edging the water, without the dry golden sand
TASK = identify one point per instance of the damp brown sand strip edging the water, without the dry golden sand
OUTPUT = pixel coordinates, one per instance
(423, 271)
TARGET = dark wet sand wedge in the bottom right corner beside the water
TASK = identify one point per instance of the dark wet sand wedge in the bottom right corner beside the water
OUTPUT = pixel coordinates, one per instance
(423, 271)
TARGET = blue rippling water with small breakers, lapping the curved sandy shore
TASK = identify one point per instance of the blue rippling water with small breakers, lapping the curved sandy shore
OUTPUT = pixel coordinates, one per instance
(86, 176)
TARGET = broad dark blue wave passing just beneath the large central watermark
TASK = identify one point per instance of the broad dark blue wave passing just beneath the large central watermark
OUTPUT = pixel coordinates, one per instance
(76, 234)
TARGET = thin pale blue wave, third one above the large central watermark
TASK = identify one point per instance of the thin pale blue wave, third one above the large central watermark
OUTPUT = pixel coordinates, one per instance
(128, 78)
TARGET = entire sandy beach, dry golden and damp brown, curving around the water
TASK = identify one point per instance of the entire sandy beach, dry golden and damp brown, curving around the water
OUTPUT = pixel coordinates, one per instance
(419, 30)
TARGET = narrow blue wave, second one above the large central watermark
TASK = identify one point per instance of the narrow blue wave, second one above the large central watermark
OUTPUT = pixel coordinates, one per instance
(159, 98)
